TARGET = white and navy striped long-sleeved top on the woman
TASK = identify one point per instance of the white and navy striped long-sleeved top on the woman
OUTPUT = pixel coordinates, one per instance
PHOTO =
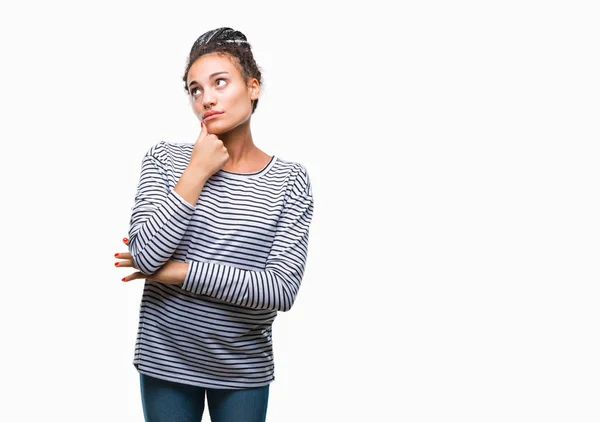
(246, 242)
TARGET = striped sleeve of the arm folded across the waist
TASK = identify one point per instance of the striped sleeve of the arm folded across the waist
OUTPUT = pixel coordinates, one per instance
(277, 285)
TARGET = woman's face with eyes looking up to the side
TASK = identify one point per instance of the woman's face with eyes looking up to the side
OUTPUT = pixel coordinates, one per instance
(216, 84)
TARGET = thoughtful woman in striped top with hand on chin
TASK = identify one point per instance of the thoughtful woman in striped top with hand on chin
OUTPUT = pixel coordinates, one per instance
(219, 231)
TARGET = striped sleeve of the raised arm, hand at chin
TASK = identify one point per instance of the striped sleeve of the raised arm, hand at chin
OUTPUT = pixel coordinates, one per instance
(159, 217)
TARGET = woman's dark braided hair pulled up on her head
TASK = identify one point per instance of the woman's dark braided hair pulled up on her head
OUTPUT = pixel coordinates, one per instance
(226, 41)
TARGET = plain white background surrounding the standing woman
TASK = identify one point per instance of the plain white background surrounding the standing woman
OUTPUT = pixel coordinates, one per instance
(453, 151)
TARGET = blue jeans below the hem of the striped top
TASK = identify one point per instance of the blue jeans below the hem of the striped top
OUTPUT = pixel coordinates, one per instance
(166, 401)
